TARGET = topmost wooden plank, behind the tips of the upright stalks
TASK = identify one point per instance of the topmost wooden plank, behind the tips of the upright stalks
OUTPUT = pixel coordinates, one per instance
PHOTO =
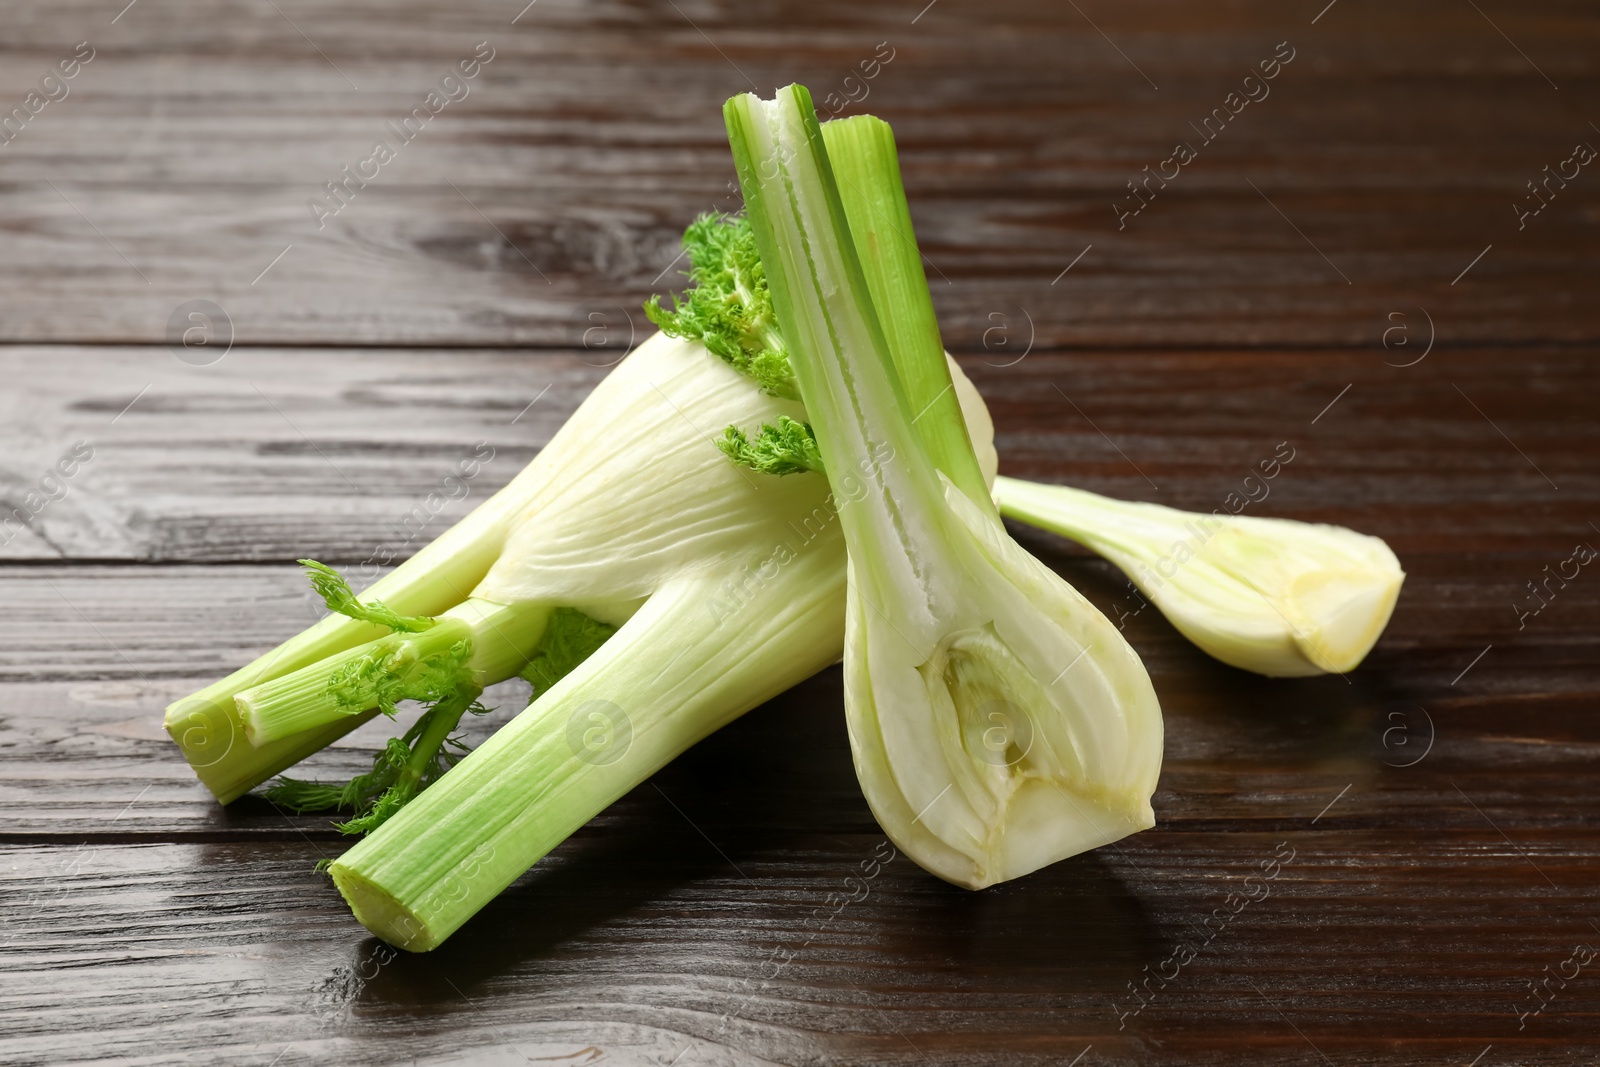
(1388, 156)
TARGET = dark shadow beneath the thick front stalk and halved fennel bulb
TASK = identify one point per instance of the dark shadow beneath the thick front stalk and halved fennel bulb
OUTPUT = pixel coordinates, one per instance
(714, 865)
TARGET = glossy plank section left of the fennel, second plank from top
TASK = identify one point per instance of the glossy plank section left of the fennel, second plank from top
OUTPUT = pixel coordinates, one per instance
(241, 460)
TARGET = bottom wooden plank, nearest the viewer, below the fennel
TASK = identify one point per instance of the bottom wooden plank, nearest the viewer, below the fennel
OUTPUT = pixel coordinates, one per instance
(647, 945)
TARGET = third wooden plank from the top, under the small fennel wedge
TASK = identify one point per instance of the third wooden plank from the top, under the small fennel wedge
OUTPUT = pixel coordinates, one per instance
(105, 650)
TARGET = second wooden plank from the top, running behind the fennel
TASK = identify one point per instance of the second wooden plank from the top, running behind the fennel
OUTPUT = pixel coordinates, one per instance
(286, 454)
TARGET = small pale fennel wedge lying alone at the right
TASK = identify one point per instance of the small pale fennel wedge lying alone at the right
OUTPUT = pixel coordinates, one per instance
(1273, 596)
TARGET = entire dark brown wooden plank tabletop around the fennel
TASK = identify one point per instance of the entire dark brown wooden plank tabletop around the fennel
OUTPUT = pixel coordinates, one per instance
(1441, 804)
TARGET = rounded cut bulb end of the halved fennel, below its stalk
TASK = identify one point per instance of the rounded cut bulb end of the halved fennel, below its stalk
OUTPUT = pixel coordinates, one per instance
(1007, 725)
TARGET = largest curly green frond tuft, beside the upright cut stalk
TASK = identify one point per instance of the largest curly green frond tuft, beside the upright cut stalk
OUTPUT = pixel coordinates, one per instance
(729, 310)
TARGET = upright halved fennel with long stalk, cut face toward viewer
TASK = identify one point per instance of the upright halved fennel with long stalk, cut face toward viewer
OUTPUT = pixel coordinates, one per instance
(999, 721)
